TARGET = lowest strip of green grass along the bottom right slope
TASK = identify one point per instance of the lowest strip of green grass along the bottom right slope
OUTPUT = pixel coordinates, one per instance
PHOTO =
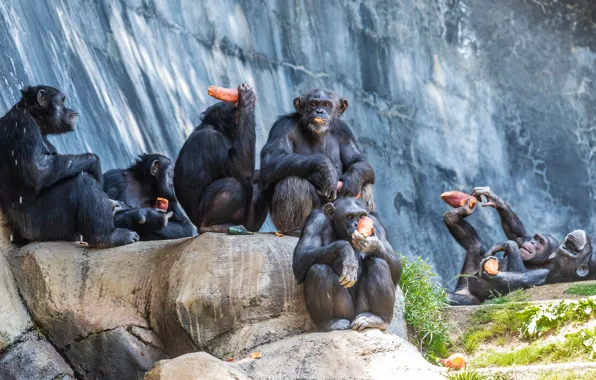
(572, 348)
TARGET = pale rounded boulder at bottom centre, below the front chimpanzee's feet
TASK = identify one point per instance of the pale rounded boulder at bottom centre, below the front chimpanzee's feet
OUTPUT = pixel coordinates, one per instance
(336, 355)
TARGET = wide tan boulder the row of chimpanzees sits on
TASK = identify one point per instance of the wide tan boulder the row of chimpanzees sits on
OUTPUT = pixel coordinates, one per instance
(216, 293)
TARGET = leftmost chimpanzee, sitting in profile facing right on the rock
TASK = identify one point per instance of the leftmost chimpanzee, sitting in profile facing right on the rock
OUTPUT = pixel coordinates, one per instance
(45, 195)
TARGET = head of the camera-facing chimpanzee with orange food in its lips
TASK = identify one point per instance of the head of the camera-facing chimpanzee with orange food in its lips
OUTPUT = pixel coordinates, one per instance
(318, 108)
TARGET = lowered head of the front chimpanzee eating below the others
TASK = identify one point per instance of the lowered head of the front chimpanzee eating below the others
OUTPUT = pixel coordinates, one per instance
(345, 213)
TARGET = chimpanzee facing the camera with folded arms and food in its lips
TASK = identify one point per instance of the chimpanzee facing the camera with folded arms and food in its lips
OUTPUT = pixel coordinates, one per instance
(310, 158)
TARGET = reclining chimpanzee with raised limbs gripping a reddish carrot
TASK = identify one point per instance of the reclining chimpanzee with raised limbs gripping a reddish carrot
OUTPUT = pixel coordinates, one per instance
(534, 251)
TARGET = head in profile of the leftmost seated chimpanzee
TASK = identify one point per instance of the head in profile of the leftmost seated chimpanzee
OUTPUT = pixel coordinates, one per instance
(46, 105)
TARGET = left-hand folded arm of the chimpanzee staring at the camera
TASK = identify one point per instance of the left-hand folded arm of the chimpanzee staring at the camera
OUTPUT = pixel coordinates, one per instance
(278, 160)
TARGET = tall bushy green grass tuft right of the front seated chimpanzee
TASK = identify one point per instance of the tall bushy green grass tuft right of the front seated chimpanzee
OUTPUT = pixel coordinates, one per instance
(425, 302)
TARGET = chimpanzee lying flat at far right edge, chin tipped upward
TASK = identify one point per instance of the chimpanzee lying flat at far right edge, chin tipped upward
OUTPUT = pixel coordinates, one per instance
(573, 260)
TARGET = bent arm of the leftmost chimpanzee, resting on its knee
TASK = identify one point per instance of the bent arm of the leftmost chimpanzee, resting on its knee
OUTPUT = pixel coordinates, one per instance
(41, 170)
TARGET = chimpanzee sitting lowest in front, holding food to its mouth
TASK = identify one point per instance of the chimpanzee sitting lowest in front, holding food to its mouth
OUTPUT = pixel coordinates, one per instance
(349, 281)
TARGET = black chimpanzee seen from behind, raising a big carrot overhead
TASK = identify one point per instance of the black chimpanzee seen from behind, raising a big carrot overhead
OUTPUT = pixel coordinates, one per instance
(215, 177)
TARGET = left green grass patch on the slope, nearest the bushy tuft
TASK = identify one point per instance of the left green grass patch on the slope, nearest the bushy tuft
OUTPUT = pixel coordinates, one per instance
(492, 323)
